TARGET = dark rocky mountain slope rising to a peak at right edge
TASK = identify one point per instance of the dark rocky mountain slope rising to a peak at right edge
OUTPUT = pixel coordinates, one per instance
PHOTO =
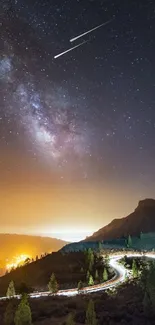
(141, 220)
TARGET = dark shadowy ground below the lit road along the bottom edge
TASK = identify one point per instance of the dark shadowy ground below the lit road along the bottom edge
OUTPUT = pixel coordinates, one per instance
(123, 307)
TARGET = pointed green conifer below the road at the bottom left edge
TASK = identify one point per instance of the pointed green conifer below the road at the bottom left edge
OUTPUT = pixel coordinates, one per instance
(23, 313)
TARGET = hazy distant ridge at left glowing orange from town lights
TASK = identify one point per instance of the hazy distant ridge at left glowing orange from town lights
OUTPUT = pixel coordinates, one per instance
(13, 245)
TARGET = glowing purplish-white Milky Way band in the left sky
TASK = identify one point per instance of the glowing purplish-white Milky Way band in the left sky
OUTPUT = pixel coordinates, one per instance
(47, 114)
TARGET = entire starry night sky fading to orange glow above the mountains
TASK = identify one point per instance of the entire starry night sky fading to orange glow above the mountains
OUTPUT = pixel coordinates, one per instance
(77, 133)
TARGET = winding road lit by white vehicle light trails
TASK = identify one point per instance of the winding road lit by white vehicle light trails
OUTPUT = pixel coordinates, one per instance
(120, 275)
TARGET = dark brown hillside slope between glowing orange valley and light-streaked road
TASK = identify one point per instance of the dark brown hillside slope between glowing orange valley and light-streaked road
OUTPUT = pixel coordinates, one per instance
(36, 275)
